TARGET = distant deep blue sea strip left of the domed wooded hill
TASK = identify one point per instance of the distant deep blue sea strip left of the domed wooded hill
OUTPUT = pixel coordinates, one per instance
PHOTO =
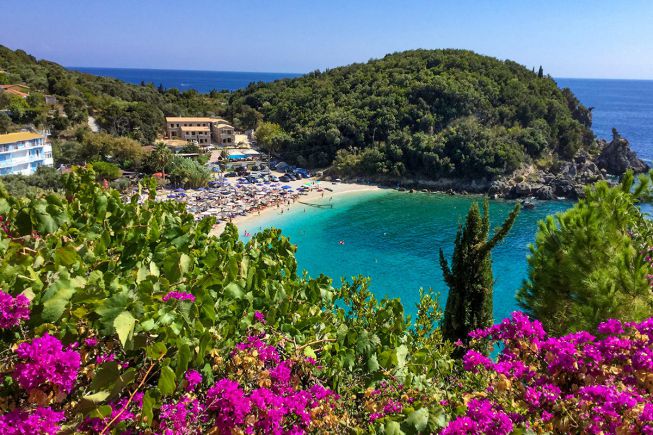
(201, 81)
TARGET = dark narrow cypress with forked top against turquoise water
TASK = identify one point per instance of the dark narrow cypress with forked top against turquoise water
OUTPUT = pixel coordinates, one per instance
(470, 281)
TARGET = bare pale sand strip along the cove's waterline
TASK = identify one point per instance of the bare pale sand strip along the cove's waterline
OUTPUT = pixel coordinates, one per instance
(329, 190)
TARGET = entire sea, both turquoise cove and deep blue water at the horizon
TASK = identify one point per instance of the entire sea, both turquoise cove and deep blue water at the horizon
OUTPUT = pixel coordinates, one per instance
(394, 237)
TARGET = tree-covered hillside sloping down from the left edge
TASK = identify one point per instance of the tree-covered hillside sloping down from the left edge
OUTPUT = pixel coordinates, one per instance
(121, 109)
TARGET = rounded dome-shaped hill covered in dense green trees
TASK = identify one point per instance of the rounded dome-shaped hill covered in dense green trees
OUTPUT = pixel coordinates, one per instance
(425, 113)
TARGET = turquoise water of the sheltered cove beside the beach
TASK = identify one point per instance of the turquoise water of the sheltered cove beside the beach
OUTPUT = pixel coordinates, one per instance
(394, 238)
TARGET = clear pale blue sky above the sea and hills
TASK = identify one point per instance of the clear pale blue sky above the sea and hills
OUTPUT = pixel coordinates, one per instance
(570, 38)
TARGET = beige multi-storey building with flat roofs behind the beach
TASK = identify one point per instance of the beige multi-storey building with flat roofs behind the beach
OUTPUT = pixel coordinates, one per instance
(203, 131)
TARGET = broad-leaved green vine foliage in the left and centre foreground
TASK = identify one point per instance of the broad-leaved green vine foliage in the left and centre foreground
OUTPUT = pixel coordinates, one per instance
(101, 265)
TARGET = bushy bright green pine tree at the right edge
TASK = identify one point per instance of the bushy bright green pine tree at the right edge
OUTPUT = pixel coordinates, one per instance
(588, 264)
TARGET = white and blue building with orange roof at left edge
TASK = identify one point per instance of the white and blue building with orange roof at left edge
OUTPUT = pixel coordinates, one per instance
(23, 153)
